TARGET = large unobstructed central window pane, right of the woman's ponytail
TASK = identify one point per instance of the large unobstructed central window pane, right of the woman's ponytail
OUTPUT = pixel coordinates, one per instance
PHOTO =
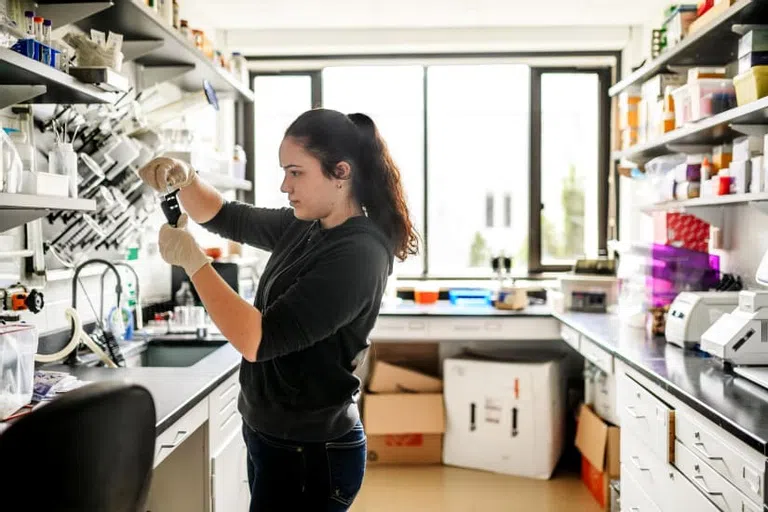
(477, 128)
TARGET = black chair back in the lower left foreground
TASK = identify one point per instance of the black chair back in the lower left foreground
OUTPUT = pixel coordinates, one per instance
(91, 449)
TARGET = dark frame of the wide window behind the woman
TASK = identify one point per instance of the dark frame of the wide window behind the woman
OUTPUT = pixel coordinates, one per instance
(606, 77)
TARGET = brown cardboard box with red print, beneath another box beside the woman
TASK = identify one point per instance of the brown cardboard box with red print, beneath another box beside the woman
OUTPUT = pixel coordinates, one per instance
(404, 428)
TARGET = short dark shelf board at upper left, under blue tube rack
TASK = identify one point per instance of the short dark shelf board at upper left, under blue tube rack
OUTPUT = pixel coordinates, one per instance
(24, 80)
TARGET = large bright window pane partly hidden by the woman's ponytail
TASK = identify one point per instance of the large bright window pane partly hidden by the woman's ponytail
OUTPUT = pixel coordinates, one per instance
(393, 96)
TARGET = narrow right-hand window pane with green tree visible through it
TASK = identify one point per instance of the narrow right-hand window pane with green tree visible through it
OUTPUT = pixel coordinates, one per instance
(570, 114)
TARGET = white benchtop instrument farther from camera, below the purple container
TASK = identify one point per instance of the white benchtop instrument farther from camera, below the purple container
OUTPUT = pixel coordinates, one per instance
(692, 313)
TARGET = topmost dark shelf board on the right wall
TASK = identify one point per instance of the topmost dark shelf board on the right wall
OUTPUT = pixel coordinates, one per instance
(714, 45)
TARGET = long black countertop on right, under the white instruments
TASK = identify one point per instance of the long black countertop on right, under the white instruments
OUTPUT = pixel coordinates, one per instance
(733, 403)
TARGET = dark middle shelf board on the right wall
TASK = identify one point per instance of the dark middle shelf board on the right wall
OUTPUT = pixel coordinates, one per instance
(713, 130)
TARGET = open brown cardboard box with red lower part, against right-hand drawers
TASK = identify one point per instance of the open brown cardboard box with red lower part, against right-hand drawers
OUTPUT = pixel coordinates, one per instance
(598, 443)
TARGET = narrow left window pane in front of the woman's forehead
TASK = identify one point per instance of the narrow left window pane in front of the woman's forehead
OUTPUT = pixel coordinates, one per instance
(278, 101)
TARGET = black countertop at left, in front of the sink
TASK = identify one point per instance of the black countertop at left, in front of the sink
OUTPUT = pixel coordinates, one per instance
(174, 390)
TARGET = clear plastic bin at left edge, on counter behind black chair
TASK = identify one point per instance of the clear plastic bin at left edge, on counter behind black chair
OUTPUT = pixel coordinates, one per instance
(18, 345)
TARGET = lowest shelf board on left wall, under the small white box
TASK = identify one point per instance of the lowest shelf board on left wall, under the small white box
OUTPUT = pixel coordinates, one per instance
(18, 209)
